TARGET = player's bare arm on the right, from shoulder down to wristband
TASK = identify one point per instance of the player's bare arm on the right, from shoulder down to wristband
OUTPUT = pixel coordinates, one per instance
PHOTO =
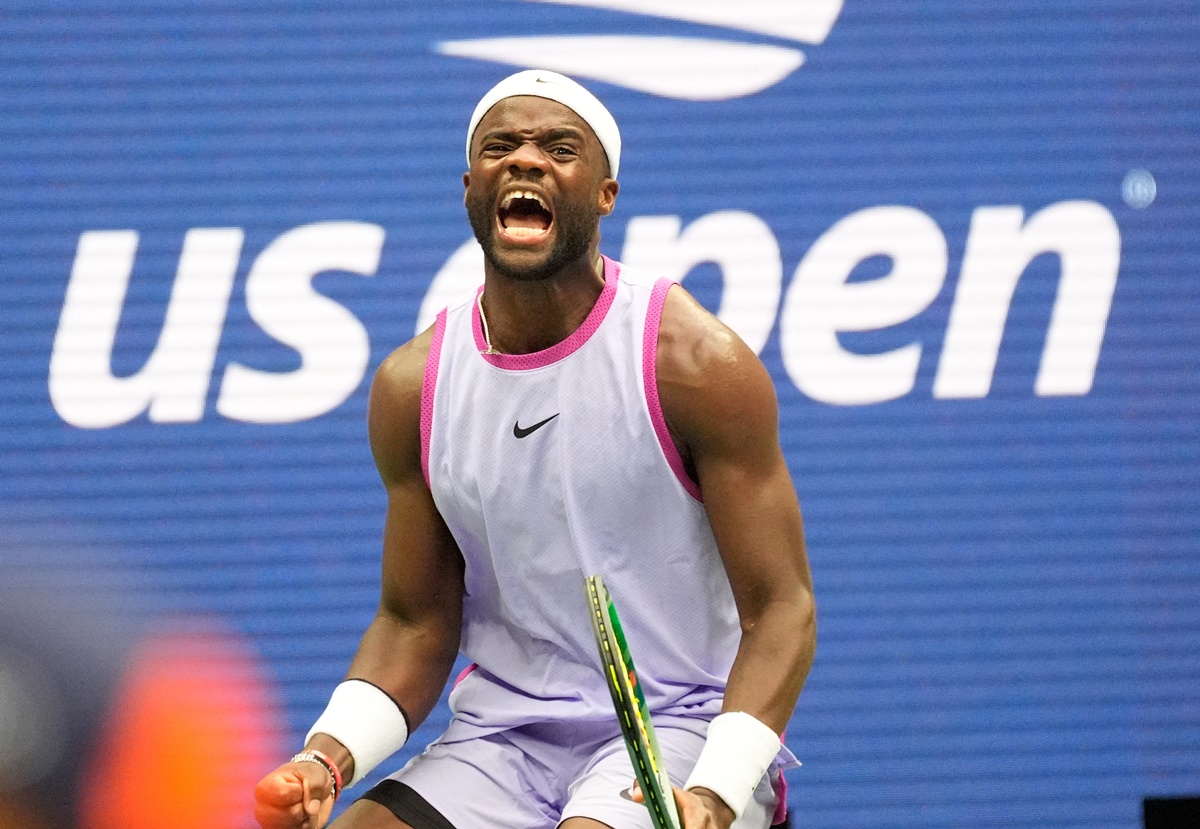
(721, 407)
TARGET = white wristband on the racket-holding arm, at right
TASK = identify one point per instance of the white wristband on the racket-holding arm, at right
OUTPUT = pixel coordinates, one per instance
(736, 756)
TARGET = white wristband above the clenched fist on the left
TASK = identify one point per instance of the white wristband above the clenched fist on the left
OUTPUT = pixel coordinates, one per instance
(367, 722)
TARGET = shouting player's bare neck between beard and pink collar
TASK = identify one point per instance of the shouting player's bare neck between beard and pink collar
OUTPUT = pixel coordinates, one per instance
(525, 317)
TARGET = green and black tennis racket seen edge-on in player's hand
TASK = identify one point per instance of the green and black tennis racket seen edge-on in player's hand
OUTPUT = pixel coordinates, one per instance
(632, 712)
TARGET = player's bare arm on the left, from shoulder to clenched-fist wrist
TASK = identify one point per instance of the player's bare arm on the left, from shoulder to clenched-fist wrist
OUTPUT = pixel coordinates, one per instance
(409, 651)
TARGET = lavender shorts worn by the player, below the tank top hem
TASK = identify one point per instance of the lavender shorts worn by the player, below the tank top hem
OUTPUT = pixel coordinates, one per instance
(537, 777)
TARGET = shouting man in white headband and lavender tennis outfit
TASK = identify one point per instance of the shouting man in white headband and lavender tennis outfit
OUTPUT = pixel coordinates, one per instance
(571, 419)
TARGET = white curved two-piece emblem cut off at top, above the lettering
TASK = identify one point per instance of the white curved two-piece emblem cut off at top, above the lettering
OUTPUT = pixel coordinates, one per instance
(691, 69)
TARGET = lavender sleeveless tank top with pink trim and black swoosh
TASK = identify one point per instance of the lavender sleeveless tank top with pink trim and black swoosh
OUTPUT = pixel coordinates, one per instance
(551, 466)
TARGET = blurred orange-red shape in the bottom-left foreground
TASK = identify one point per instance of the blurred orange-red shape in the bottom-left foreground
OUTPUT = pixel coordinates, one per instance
(194, 729)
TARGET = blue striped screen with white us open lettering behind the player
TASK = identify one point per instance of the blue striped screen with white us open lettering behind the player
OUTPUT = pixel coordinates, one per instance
(964, 238)
